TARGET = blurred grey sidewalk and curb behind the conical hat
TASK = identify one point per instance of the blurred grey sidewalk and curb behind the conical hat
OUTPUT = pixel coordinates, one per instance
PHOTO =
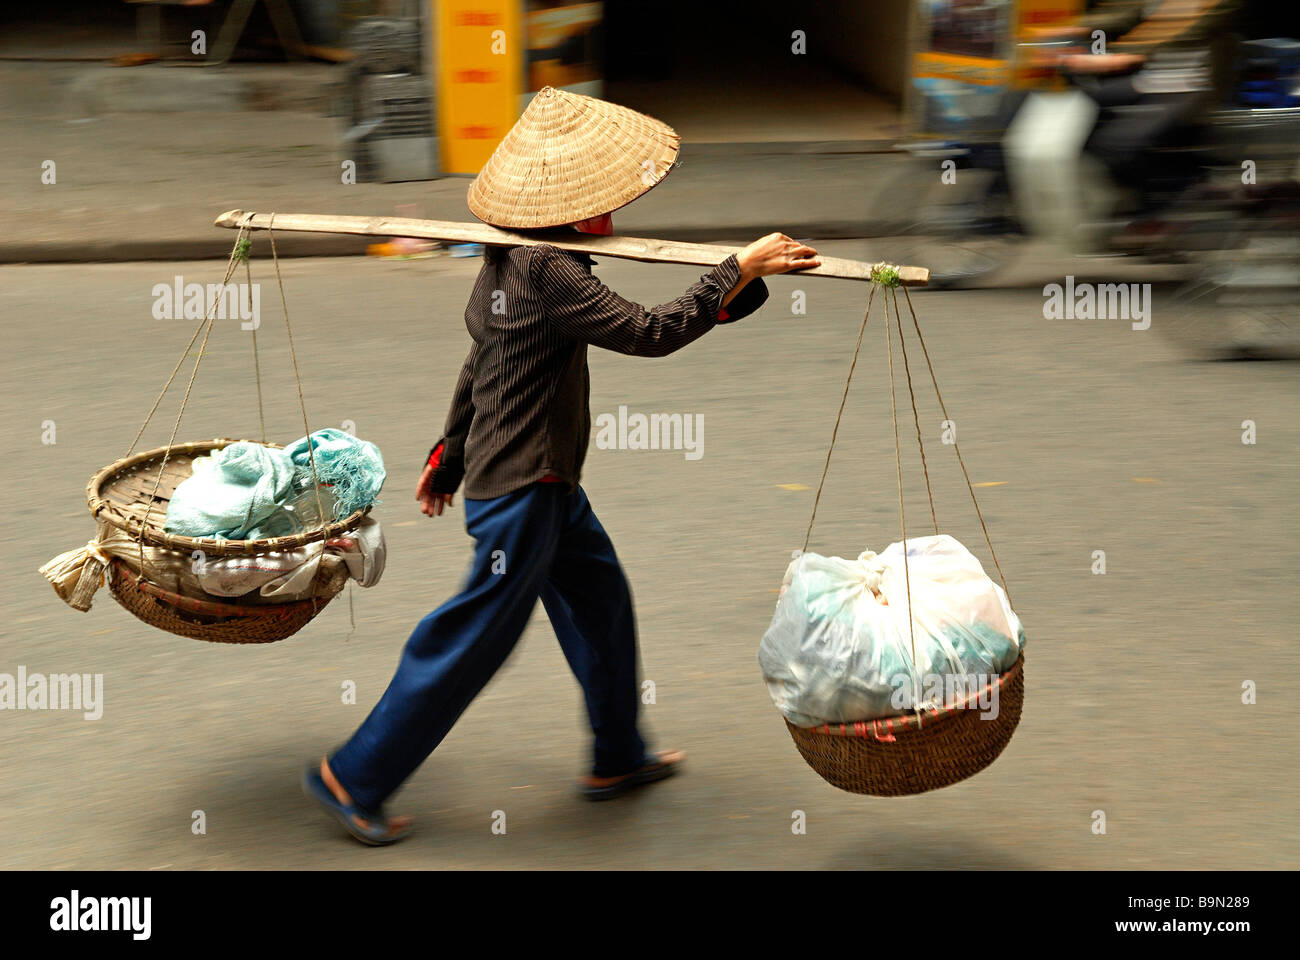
(146, 184)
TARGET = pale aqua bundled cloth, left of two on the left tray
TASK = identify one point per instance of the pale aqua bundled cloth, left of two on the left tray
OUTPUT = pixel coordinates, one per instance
(232, 494)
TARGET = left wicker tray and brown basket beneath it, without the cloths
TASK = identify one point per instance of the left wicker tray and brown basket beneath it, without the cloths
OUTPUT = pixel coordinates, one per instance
(122, 495)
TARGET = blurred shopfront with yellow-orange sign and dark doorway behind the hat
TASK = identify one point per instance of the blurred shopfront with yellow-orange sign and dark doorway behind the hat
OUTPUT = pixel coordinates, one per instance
(722, 72)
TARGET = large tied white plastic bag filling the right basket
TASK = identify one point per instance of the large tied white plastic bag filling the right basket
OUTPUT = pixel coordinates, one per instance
(839, 647)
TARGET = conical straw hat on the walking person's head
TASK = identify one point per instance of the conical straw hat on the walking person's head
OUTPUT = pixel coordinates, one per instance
(570, 158)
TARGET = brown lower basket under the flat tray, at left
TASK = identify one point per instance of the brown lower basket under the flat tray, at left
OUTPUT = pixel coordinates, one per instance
(201, 620)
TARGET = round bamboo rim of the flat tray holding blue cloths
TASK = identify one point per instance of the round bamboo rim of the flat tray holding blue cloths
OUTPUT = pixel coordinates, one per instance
(105, 509)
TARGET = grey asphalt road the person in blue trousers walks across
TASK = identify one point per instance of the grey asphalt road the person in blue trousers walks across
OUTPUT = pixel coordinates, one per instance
(1099, 438)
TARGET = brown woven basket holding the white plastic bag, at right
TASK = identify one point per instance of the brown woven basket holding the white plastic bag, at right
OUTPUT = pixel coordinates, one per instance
(899, 758)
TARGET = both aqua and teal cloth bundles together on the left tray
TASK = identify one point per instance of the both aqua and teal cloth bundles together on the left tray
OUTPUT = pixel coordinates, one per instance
(240, 491)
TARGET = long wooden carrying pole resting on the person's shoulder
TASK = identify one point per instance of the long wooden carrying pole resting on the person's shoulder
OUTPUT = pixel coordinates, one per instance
(627, 248)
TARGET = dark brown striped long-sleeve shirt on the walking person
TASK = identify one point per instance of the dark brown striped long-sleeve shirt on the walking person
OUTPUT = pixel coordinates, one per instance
(521, 407)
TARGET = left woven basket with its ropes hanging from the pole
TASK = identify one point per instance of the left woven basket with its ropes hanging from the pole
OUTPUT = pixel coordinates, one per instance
(129, 499)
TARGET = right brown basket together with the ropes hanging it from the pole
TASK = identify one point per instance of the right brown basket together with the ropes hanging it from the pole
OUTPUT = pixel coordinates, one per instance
(938, 746)
